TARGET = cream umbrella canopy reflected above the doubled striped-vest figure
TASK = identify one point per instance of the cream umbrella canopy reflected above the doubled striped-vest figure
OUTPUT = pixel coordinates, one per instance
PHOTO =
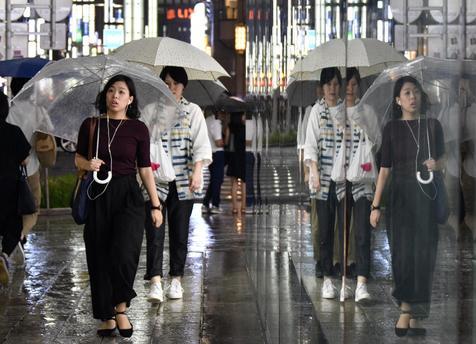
(370, 56)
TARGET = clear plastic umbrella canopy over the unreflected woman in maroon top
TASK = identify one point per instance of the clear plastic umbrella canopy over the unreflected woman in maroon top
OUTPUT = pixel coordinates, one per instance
(62, 95)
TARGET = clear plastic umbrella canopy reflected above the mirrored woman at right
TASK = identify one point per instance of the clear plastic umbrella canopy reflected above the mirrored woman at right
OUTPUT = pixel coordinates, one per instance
(439, 80)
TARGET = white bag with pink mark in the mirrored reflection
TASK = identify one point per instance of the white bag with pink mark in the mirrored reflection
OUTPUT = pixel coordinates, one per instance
(362, 164)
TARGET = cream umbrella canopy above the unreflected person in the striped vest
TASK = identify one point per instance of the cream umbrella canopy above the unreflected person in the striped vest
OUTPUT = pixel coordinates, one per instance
(157, 52)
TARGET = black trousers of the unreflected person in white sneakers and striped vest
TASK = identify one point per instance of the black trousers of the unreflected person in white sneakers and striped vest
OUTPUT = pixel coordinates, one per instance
(178, 217)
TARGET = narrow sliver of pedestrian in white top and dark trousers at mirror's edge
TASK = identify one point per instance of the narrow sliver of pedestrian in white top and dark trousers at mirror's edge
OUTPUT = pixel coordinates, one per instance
(250, 150)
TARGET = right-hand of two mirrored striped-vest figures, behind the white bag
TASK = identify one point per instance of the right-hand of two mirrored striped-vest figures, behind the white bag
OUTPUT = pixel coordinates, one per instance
(358, 200)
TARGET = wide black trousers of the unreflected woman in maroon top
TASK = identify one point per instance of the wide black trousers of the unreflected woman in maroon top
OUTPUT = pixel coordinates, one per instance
(113, 238)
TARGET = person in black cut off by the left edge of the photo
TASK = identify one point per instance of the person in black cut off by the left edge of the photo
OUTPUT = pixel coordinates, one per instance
(14, 149)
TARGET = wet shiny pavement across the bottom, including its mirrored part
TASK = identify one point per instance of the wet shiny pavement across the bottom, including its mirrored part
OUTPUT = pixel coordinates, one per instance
(248, 279)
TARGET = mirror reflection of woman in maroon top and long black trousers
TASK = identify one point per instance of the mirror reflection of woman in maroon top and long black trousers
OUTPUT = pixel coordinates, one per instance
(412, 226)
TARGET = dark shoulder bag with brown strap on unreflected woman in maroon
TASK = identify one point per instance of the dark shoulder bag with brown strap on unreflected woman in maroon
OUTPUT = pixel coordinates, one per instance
(80, 200)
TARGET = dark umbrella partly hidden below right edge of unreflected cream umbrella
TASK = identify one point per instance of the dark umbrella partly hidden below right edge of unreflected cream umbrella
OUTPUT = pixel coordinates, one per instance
(204, 92)
